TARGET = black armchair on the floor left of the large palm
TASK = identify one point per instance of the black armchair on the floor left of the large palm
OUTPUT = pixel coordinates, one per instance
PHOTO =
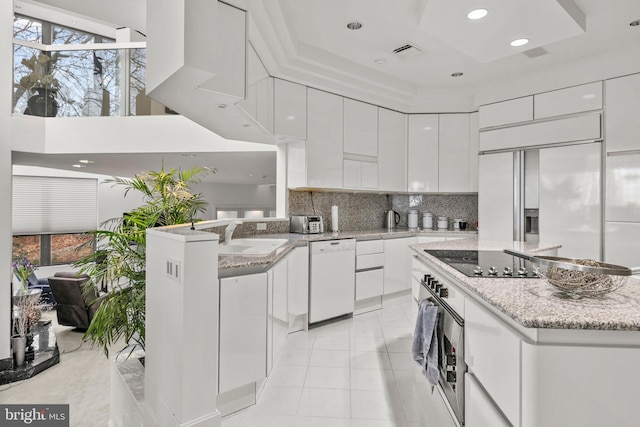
(75, 306)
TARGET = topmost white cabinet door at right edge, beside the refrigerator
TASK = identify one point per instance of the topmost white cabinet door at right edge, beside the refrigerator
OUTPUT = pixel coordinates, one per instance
(622, 112)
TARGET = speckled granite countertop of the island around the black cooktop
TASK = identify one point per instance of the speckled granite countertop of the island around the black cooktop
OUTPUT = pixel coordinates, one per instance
(534, 303)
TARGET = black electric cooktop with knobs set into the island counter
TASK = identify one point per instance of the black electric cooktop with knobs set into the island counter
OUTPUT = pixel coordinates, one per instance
(490, 264)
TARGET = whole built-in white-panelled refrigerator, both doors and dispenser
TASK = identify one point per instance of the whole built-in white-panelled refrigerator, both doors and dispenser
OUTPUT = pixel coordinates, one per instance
(551, 194)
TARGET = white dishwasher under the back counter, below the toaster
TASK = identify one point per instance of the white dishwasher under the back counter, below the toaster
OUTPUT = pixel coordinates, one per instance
(332, 279)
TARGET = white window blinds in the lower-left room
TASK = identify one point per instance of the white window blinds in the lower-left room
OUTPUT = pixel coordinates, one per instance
(49, 205)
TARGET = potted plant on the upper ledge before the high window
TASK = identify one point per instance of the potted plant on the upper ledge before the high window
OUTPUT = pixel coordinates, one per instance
(41, 83)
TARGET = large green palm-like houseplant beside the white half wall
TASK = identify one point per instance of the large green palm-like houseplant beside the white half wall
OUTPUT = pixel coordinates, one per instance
(119, 259)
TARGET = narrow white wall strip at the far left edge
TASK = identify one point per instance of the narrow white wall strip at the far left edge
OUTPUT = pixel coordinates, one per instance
(6, 78)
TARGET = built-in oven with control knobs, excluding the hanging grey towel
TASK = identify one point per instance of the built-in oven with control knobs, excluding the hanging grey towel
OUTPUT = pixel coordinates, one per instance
(450, 331)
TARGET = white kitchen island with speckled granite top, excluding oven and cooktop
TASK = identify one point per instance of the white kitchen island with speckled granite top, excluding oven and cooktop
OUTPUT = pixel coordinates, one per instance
(535, 357)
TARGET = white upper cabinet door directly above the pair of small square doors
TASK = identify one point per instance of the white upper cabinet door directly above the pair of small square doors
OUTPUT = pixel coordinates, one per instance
(360, 128)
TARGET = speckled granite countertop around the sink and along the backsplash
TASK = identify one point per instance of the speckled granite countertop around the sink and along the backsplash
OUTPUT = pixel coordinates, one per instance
(234, 265)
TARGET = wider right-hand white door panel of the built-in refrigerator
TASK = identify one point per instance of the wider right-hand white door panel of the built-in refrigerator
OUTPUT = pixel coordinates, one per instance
(570, 199)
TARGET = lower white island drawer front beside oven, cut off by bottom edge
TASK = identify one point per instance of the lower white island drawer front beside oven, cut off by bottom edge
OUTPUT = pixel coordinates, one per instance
(479, 410)
